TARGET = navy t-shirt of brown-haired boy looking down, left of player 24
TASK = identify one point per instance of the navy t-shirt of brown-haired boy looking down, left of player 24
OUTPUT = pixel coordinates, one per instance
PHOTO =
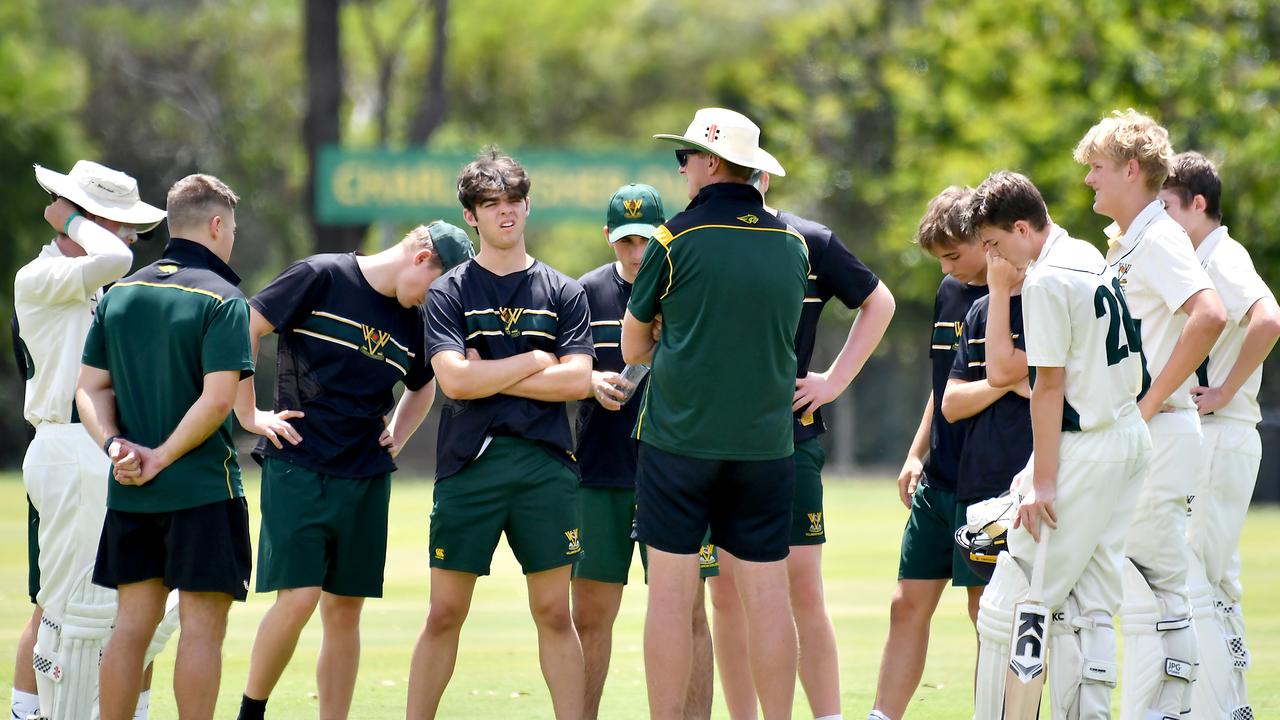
(947, 440)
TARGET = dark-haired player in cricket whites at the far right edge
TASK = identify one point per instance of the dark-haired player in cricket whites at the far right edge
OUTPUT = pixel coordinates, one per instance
(1227, 397)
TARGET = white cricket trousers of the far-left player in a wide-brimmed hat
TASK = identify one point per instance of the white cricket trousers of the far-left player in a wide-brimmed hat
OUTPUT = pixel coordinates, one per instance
(66, 475)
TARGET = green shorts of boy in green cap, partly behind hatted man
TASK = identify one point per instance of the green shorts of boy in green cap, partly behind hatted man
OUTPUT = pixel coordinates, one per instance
(607, 521)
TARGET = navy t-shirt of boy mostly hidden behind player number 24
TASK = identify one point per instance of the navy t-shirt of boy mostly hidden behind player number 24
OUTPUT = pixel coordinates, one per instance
(999, 440)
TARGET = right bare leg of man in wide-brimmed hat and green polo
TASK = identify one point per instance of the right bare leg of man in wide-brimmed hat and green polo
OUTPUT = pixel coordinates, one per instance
(771, 634)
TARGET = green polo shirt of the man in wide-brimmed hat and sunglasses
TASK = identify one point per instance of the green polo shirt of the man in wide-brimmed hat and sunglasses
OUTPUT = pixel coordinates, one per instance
(729, 280)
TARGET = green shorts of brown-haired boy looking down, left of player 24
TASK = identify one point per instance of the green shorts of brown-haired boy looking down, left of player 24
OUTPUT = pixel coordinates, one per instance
(930, 549)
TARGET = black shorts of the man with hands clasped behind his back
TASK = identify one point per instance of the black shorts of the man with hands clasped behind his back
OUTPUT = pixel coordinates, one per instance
(204, 549)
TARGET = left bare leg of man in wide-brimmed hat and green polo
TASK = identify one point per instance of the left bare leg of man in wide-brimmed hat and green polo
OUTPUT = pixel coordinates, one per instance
(674, 586)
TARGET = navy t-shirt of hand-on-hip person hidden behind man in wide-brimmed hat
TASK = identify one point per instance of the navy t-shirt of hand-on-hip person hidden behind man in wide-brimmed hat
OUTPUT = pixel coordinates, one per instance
(834, 272)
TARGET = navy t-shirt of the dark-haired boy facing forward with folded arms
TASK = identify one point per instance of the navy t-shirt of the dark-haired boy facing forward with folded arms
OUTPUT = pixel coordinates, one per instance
(501, 317)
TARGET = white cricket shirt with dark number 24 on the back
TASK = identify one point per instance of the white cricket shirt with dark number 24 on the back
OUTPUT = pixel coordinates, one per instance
(1073, 320)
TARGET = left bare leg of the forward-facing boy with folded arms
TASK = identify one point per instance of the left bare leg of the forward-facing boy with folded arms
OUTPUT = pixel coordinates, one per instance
(437, 650)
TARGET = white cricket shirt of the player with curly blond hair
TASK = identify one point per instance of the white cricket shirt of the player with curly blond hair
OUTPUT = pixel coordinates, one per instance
(1158, 270)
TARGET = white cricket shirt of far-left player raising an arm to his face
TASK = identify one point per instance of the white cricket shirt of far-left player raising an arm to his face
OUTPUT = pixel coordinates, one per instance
(54, 299)
